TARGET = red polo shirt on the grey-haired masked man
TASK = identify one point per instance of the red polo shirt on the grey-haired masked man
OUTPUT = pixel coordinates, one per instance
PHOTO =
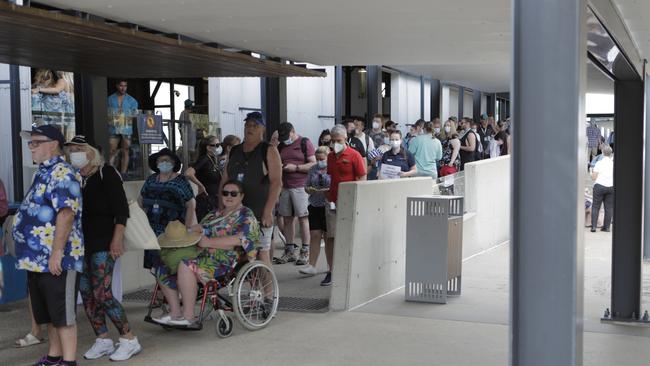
(344, 167)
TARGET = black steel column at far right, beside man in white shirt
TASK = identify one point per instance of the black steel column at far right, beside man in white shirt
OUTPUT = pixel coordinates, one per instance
(629, 102)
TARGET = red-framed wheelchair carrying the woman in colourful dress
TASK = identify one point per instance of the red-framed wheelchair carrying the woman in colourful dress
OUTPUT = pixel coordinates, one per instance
(249, 291)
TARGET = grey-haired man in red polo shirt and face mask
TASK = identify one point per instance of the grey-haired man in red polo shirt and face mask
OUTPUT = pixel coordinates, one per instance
(344, 164)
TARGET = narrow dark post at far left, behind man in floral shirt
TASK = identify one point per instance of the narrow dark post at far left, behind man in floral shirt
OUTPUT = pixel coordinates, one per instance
(16, 144)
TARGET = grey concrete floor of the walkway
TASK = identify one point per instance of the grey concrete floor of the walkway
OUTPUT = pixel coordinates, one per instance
(469, 330)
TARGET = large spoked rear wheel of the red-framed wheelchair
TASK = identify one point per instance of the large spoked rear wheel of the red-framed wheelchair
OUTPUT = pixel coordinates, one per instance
(255, 295)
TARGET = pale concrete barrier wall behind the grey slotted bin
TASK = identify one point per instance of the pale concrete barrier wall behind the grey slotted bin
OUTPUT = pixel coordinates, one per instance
(370, 249)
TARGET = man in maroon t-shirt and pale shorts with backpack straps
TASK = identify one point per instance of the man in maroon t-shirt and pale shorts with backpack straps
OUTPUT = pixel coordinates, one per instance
(297, 155)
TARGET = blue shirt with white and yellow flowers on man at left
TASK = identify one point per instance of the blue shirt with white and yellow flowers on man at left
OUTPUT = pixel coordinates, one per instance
(56, 186)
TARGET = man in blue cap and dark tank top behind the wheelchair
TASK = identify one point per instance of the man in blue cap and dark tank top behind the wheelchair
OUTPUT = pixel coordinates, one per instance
(257, 165)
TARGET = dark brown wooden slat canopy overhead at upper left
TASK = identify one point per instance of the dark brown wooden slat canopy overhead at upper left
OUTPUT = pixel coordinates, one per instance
(40, 38)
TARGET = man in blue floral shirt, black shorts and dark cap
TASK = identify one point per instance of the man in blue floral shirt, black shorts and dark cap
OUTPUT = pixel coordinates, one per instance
(49, 243)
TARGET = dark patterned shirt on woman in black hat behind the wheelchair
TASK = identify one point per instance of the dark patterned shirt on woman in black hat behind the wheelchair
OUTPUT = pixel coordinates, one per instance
(164, 202)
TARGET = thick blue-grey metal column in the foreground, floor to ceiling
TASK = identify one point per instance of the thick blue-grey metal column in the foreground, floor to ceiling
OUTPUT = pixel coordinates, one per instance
(546, 298)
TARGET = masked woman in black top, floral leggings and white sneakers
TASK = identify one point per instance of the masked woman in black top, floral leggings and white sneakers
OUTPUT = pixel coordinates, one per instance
(105, 211)
